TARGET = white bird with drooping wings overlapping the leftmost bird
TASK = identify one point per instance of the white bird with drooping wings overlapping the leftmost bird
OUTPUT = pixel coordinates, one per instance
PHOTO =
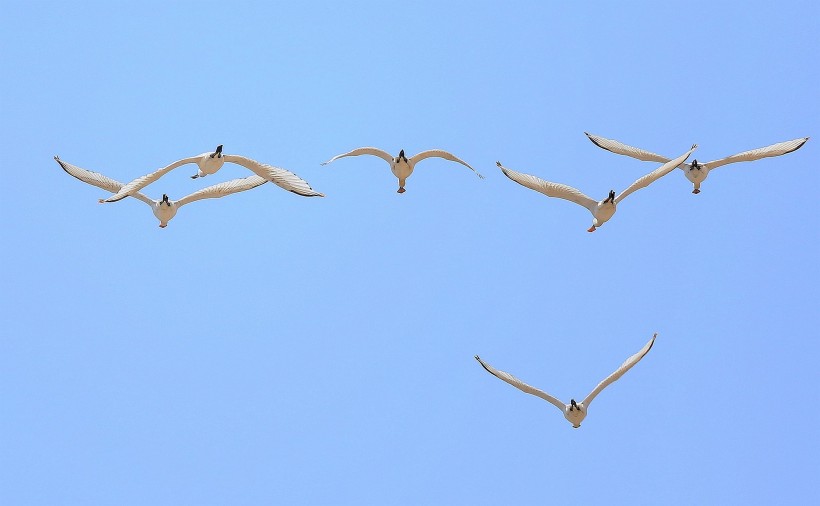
(210, 163)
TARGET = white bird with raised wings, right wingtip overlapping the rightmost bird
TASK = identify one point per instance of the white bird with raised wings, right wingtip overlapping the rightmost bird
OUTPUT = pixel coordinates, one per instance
(603, 210)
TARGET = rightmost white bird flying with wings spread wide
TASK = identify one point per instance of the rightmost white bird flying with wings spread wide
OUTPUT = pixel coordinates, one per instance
(696, 172)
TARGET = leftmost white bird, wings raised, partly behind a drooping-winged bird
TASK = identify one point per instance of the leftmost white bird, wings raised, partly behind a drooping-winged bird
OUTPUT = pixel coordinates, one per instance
(163, 209)
